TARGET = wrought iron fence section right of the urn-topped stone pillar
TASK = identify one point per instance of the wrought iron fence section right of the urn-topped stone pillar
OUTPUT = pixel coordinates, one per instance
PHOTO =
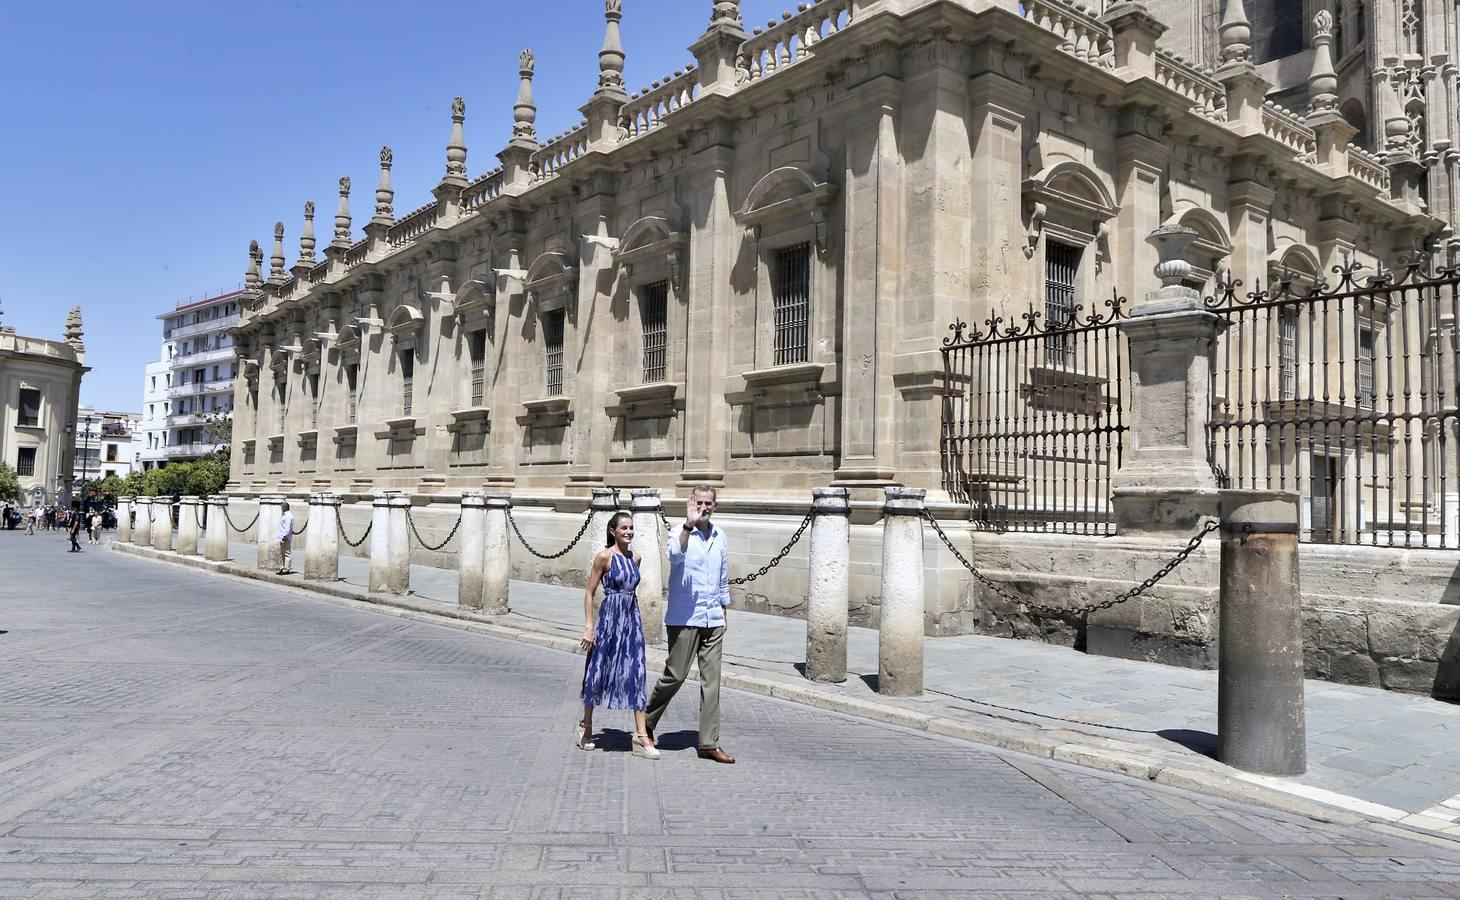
(1347, 395)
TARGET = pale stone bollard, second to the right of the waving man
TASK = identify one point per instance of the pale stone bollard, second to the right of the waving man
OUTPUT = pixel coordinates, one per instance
(900, 635)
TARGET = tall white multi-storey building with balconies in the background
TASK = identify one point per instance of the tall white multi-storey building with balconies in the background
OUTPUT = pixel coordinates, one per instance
(192, 384)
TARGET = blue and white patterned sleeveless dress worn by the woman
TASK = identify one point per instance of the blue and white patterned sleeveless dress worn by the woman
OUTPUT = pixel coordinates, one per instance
(615, 674)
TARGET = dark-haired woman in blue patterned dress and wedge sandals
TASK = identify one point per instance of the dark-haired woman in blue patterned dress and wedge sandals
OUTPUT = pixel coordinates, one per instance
(615, 674)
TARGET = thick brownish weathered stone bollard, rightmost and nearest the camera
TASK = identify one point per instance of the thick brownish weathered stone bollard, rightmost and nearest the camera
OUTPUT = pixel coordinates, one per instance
(1259, 702)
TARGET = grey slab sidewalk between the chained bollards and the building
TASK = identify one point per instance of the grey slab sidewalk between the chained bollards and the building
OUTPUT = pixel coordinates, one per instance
(1151, 717)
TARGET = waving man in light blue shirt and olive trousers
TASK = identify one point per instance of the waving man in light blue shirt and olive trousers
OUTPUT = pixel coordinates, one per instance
(696, 619)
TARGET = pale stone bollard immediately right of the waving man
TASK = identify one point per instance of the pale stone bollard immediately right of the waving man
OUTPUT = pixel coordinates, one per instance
(827, 582)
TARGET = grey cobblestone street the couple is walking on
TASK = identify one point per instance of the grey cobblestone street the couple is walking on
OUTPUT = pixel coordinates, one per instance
(169, 734)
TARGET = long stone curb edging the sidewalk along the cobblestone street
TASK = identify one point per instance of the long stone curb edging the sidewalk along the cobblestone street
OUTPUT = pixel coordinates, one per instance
(1064, 746)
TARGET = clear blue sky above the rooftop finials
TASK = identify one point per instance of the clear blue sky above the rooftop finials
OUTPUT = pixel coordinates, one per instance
(148, 142)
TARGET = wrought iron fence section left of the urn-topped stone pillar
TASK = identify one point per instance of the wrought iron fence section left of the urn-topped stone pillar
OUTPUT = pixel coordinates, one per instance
(1034, 422)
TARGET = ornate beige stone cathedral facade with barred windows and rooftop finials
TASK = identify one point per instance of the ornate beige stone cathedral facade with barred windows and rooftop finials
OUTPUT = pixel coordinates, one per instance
(744, 274)
